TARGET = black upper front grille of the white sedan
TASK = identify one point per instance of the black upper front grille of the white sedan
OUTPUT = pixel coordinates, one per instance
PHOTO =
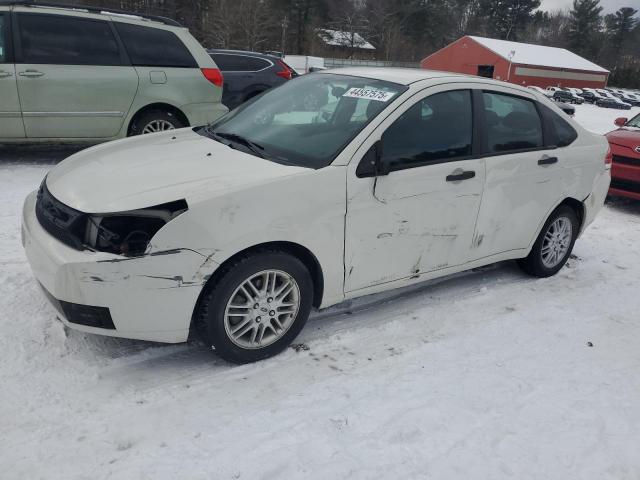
(63, 223)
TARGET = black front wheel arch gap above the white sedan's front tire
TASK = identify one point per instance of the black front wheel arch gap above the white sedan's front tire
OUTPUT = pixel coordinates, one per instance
(301, 253)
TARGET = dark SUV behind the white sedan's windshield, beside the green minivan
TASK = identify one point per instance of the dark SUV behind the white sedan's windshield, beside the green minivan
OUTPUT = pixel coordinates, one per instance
(247, 74)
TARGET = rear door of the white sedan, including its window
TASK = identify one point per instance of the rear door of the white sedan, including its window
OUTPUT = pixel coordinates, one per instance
(523, 173)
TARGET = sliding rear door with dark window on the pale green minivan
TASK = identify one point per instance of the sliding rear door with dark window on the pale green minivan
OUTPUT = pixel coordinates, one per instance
(74, 80)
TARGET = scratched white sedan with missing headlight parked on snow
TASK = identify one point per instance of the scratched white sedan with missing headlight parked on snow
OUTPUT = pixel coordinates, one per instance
(238, 229)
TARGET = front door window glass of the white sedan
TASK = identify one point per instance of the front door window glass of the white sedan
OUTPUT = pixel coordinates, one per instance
(437, 129)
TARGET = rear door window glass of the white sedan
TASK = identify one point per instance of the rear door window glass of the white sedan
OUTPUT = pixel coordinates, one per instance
(512, 123)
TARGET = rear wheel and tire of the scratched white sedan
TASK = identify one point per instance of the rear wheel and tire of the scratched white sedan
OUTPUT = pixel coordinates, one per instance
(535, 264)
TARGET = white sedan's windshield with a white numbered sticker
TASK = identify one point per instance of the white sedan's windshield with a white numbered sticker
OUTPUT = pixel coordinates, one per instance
(306, 121)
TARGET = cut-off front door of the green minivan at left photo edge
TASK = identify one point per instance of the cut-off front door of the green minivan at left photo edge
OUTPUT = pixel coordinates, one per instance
(10, 116)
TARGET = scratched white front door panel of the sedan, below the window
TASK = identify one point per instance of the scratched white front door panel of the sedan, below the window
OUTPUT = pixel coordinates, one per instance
(417, 222)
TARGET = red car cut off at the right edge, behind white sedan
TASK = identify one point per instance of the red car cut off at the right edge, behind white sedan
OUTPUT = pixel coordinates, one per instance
(625, 146)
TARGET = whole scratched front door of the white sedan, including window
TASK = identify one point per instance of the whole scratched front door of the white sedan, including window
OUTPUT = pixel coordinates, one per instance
(420, 217)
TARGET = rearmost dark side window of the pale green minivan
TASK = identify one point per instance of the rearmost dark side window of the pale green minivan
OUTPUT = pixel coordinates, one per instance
(154, 47)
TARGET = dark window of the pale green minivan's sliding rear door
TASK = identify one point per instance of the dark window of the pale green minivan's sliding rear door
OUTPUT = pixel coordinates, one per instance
(64, 40)
